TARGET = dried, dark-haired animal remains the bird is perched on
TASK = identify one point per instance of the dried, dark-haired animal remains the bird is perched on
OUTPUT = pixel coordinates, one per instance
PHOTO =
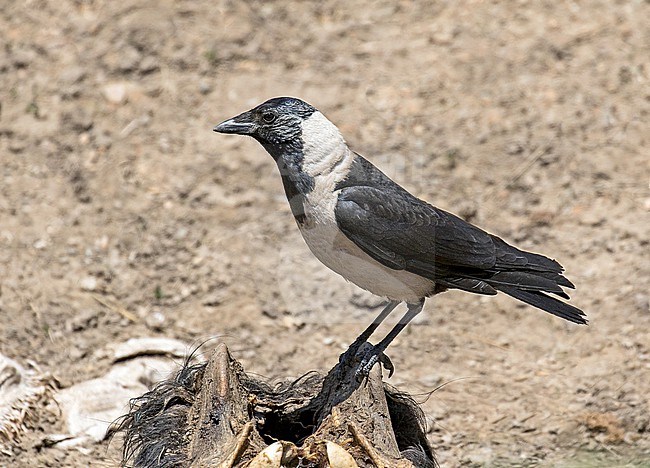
(215, 415)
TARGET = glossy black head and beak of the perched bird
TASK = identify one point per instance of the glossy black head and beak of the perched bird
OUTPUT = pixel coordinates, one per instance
(276, 123)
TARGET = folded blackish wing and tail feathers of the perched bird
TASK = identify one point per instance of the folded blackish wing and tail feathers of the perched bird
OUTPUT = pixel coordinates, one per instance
(404, 233)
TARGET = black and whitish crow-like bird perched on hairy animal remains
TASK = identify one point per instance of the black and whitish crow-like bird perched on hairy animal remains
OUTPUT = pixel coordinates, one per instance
(374, 233)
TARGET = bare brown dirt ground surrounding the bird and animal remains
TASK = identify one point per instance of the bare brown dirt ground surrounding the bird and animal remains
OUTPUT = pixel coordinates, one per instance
(528, 118)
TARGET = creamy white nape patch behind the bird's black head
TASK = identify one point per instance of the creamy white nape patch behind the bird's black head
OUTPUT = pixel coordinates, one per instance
(323, 145)
